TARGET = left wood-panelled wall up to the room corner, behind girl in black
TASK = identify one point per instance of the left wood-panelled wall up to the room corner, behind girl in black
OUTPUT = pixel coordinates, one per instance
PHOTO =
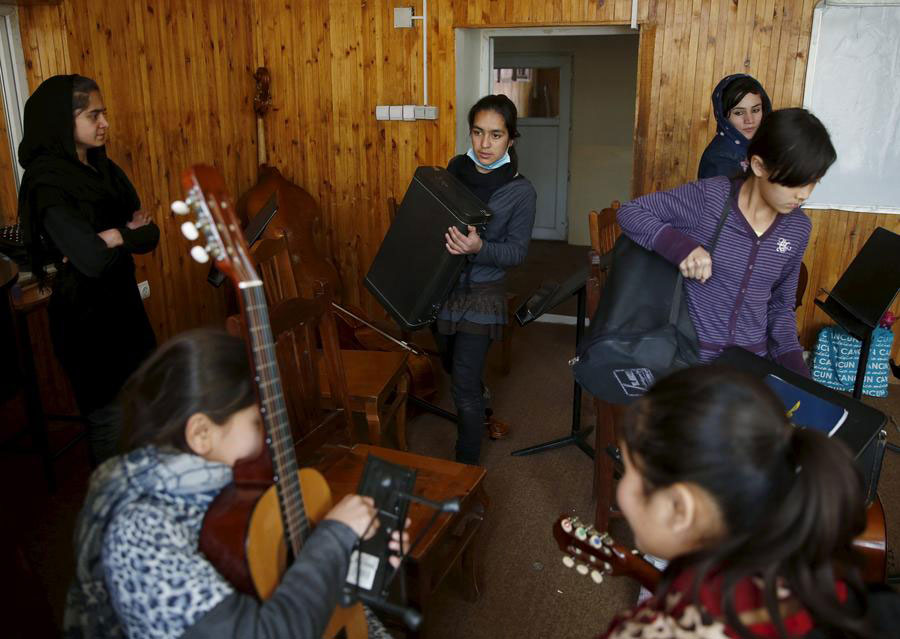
(176, 79)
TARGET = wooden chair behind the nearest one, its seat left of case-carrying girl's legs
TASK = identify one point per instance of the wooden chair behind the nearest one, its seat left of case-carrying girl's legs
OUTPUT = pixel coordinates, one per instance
(377, 381)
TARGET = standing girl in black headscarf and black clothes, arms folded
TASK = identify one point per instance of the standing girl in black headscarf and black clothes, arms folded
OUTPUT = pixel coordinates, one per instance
(79, 212)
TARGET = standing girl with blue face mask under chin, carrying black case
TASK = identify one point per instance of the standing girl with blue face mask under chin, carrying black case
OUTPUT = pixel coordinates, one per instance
(476, 311)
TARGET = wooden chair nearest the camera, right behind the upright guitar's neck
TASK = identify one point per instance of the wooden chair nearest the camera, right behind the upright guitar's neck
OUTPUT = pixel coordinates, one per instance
(450, 544)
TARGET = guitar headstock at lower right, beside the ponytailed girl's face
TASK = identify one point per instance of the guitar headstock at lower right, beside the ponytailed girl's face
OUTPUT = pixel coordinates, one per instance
(597, 554)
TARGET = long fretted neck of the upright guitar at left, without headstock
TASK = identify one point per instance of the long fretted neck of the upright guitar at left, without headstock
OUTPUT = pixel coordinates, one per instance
(274, 413)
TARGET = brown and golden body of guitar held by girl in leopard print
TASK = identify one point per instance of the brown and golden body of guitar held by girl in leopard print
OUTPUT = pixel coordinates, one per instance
(243, 537)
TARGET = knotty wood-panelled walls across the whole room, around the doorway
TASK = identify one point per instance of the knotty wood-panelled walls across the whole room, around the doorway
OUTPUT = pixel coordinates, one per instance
(177, 83)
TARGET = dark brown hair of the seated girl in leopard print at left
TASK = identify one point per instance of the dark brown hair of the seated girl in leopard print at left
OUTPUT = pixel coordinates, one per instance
(200, 371)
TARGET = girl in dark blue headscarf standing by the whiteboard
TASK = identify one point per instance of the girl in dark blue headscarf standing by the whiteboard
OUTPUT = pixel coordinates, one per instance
(739, 104)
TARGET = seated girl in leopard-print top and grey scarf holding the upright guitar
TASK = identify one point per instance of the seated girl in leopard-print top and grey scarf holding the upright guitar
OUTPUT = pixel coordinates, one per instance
(191, 413)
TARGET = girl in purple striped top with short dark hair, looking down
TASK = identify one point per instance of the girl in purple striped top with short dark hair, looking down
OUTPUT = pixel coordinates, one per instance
(744, 296)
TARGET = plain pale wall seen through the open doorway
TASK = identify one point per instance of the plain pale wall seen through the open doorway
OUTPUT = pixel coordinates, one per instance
(603, 102)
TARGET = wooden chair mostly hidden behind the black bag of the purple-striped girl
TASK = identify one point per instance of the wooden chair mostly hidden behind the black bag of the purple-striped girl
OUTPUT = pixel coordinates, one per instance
(604, 231)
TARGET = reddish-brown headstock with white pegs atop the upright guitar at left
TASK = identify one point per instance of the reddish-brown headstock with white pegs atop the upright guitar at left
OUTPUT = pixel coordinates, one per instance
(207, 201)
